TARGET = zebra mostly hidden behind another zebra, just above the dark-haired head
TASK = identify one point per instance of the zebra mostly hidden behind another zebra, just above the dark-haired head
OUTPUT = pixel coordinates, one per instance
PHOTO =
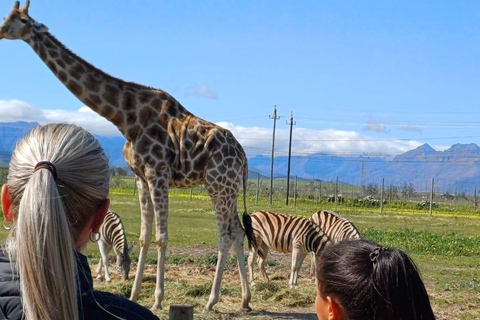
(335, 227)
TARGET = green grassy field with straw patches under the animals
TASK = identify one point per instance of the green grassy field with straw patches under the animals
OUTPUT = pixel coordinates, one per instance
(445, 246)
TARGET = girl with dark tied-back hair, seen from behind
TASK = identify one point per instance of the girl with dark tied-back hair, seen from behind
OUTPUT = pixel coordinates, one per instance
(359, 279)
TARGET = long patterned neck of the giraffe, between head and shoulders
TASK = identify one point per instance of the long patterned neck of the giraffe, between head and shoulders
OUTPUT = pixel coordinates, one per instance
(112, 98)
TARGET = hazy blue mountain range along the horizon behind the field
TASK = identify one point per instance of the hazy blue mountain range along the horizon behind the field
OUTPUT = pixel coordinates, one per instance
(456, 169)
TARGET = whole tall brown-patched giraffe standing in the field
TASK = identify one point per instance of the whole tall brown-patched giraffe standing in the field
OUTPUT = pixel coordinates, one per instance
(166, 146)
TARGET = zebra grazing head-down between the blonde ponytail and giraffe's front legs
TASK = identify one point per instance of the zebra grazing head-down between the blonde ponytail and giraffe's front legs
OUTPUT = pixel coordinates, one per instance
(112, 234)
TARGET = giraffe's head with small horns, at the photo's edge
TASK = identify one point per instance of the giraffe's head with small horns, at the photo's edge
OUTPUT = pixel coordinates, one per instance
(19, 25)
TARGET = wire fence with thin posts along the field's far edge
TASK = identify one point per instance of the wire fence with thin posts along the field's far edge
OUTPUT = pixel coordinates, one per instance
(333, 194)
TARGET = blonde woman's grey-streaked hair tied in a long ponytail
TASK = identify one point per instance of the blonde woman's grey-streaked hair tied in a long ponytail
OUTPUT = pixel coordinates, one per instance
(50, 213)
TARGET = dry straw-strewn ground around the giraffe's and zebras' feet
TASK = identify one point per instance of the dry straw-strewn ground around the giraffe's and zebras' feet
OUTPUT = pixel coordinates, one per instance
(263, 306)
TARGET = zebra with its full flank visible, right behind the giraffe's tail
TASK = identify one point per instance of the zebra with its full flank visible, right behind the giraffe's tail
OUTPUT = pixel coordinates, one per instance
(284, 234)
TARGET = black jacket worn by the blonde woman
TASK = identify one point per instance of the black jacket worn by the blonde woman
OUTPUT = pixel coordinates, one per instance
(92, 305)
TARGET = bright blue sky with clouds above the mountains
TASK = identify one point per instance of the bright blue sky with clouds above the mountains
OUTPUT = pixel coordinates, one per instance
(360, 77)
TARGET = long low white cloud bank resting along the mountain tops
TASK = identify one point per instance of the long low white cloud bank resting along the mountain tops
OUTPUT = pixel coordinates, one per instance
(255, 140)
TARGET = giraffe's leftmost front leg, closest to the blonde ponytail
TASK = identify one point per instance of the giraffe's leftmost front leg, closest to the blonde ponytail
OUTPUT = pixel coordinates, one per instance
(145, 235)
